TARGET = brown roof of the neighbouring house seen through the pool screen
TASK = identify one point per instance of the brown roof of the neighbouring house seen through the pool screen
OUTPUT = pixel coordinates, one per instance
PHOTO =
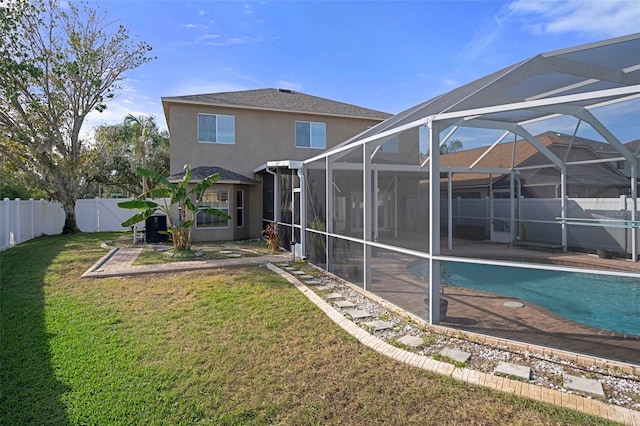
(504, 156)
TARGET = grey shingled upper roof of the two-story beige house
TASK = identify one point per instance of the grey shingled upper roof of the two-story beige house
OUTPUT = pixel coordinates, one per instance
(276, 100)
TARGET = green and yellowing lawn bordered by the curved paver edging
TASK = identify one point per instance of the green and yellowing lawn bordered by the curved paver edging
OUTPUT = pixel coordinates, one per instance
(230, 347)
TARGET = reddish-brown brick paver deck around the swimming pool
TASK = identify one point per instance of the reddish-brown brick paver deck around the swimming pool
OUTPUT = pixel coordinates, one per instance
(529, 327)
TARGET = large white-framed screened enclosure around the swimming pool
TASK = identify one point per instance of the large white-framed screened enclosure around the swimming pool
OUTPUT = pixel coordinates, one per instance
(499, 191)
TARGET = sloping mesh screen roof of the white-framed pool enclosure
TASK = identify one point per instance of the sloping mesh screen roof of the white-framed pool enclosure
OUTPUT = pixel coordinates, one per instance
(605, 65)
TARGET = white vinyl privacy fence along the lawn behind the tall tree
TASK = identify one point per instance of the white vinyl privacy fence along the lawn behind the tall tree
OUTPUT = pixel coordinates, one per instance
(22, 220)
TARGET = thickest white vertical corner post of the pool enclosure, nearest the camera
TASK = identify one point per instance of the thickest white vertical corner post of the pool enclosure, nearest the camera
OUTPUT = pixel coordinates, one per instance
(434, 223)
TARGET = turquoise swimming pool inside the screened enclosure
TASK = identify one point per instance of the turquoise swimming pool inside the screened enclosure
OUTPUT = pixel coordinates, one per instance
(601, 301)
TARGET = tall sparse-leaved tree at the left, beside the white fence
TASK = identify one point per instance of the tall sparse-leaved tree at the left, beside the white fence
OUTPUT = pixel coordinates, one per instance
(57, 64)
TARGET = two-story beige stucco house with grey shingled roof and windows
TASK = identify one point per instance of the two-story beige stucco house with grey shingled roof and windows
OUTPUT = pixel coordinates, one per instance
(233, 133)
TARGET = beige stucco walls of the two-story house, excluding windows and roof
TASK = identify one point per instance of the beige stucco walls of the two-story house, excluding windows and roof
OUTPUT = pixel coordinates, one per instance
(261, 136)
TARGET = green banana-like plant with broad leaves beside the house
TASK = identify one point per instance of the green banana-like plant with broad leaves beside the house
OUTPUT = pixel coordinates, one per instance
(187, 198)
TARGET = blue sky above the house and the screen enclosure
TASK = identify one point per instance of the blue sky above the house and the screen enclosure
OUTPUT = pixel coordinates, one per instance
(385, 55)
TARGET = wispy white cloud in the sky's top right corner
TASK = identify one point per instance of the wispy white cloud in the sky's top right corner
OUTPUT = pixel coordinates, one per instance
(608, 18)
